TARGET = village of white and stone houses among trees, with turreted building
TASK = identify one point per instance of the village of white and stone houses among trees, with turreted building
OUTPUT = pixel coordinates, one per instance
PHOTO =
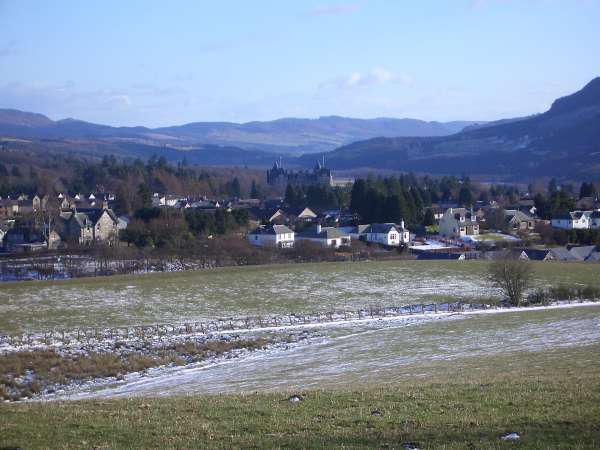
(453, 230)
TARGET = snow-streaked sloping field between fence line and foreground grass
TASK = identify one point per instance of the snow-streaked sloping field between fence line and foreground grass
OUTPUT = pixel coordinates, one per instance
(372, 352)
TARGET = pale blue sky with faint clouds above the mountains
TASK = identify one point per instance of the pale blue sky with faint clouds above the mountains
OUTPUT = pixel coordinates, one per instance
(158, 63)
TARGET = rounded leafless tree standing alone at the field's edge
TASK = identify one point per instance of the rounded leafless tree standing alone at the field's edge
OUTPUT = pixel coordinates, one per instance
(512, 276)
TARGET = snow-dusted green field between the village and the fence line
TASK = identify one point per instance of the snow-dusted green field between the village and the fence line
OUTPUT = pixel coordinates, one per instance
(228, 292)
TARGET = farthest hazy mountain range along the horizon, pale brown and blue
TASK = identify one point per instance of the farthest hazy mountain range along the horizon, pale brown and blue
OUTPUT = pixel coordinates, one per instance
(284, 136)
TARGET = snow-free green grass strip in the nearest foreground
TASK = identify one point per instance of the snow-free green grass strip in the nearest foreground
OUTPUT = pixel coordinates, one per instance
(552, 399)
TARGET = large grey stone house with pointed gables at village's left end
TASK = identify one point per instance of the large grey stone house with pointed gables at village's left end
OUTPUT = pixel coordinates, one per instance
(85, 226)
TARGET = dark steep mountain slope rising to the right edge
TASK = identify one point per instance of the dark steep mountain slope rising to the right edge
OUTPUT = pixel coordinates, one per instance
(563, 142)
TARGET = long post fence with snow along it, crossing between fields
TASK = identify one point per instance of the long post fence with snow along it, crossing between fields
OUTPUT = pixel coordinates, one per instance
(148, 332)
